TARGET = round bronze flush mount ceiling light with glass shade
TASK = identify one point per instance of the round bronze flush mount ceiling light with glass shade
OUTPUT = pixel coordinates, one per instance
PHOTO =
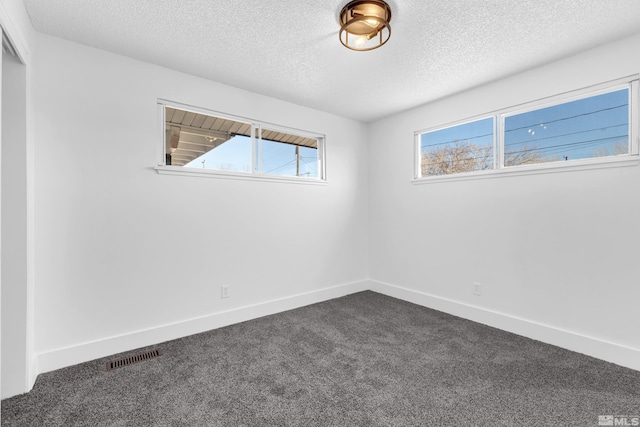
(365, 24)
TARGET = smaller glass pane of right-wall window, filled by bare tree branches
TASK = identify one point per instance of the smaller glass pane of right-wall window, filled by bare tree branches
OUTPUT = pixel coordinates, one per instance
(462, 148)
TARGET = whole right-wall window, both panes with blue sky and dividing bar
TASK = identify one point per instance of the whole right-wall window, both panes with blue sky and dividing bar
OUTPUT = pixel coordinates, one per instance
(574, 130)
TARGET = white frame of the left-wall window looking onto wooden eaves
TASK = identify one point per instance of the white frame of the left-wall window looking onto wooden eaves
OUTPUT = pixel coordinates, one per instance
(256, 149)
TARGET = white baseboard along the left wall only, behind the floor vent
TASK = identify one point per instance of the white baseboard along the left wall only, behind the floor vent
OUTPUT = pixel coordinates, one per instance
(68, 356)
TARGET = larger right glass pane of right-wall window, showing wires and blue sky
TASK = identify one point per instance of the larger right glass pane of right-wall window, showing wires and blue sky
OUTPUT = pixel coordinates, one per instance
(597, 126)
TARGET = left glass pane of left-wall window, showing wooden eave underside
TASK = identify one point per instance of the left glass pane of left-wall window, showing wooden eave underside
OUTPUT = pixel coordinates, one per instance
(195, 140)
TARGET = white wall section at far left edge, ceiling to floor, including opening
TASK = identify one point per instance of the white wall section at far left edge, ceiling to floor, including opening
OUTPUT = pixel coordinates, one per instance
(18, 363)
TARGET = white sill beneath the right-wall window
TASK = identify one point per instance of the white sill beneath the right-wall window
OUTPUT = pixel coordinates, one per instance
(614, 162)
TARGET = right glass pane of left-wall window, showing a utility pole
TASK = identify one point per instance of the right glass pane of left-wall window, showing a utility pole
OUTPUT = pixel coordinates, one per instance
(289, 155)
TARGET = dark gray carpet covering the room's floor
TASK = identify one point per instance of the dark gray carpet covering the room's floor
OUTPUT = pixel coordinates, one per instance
(361, 360)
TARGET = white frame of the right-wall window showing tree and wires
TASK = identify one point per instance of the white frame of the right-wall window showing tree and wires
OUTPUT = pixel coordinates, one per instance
(631, 159)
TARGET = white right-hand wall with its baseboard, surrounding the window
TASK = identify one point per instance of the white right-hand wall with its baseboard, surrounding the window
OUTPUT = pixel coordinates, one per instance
(555, 253)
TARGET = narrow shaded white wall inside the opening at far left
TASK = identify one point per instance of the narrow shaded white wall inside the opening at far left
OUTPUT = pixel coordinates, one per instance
(14, 228)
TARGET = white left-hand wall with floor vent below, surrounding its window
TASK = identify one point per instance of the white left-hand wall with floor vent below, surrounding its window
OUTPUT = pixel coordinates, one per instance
(123, 252)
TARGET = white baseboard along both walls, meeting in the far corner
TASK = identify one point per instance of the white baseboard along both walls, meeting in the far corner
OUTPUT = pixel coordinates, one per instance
(68, 356)
